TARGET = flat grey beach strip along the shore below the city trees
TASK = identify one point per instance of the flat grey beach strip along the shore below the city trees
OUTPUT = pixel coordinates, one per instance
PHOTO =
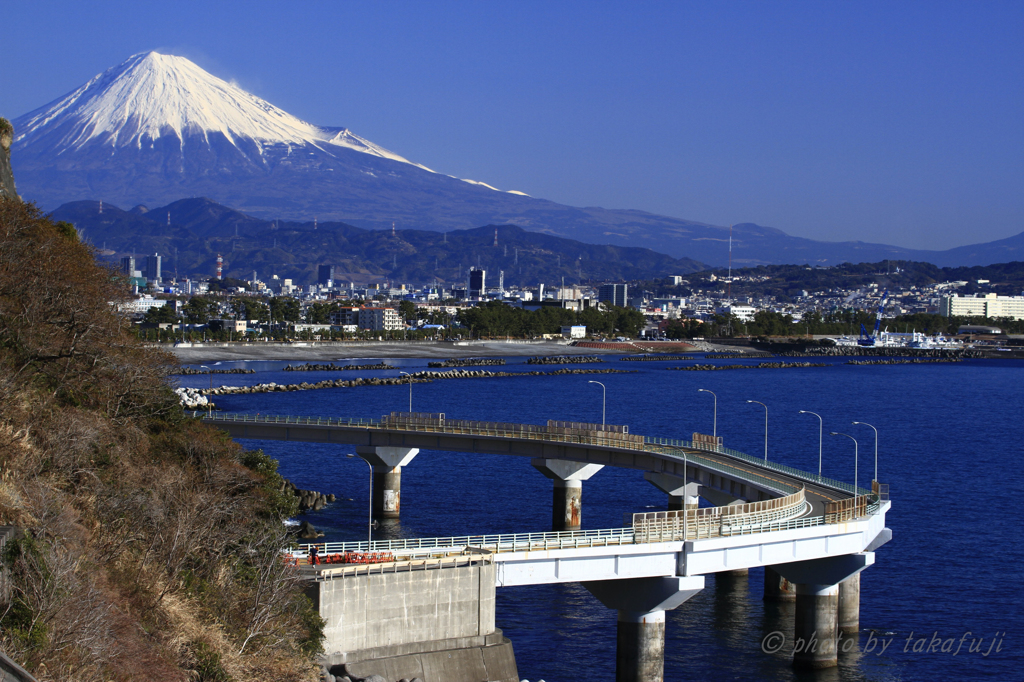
(220, 353)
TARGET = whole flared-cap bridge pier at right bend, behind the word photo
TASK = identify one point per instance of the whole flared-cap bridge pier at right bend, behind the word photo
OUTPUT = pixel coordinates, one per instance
(817, 628)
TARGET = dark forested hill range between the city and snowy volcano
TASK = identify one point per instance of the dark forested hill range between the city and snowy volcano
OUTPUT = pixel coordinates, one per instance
(190, 234)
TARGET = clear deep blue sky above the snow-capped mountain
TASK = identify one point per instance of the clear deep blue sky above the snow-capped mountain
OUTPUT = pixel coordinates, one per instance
(893, 122)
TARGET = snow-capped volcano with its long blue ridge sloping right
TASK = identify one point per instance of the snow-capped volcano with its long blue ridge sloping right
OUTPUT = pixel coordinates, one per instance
(157, 129)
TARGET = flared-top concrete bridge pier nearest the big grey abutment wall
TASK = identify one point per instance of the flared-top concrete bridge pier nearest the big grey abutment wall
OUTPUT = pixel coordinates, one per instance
(642, 604)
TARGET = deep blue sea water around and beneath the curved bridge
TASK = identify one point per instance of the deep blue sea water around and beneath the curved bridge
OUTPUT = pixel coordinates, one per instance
(950, 447)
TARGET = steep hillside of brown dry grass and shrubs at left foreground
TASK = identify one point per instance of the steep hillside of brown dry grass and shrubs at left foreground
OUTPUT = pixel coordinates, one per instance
(150, 543)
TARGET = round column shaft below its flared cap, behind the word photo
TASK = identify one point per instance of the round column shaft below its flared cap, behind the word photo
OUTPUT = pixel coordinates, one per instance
(817, 626)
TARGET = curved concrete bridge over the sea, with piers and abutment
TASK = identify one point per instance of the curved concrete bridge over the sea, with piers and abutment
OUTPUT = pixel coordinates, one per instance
(813, 535)
